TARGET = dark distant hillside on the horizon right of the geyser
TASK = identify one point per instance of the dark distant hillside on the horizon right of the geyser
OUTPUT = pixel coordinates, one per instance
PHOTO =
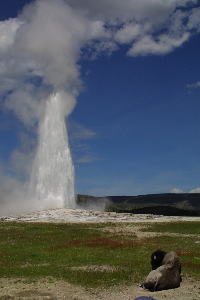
(169, 204)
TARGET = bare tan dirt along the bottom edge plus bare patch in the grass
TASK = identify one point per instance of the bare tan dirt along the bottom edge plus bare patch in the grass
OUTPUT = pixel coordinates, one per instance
(48, 288)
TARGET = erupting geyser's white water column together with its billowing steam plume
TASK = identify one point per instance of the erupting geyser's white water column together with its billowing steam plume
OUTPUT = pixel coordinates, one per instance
(41, 79)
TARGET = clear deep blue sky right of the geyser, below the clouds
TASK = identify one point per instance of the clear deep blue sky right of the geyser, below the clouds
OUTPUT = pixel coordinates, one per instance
(146, 123)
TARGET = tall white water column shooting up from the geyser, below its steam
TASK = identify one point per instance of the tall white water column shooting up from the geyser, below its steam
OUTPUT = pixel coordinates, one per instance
(52, 179)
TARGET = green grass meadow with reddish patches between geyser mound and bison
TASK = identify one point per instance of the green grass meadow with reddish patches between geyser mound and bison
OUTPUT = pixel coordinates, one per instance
(90, 255)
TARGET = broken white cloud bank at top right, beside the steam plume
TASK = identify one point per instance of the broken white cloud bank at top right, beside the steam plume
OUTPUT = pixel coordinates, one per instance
(140, 23)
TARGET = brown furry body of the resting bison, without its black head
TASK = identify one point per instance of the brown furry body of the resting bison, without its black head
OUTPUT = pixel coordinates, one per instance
(167, 276)
